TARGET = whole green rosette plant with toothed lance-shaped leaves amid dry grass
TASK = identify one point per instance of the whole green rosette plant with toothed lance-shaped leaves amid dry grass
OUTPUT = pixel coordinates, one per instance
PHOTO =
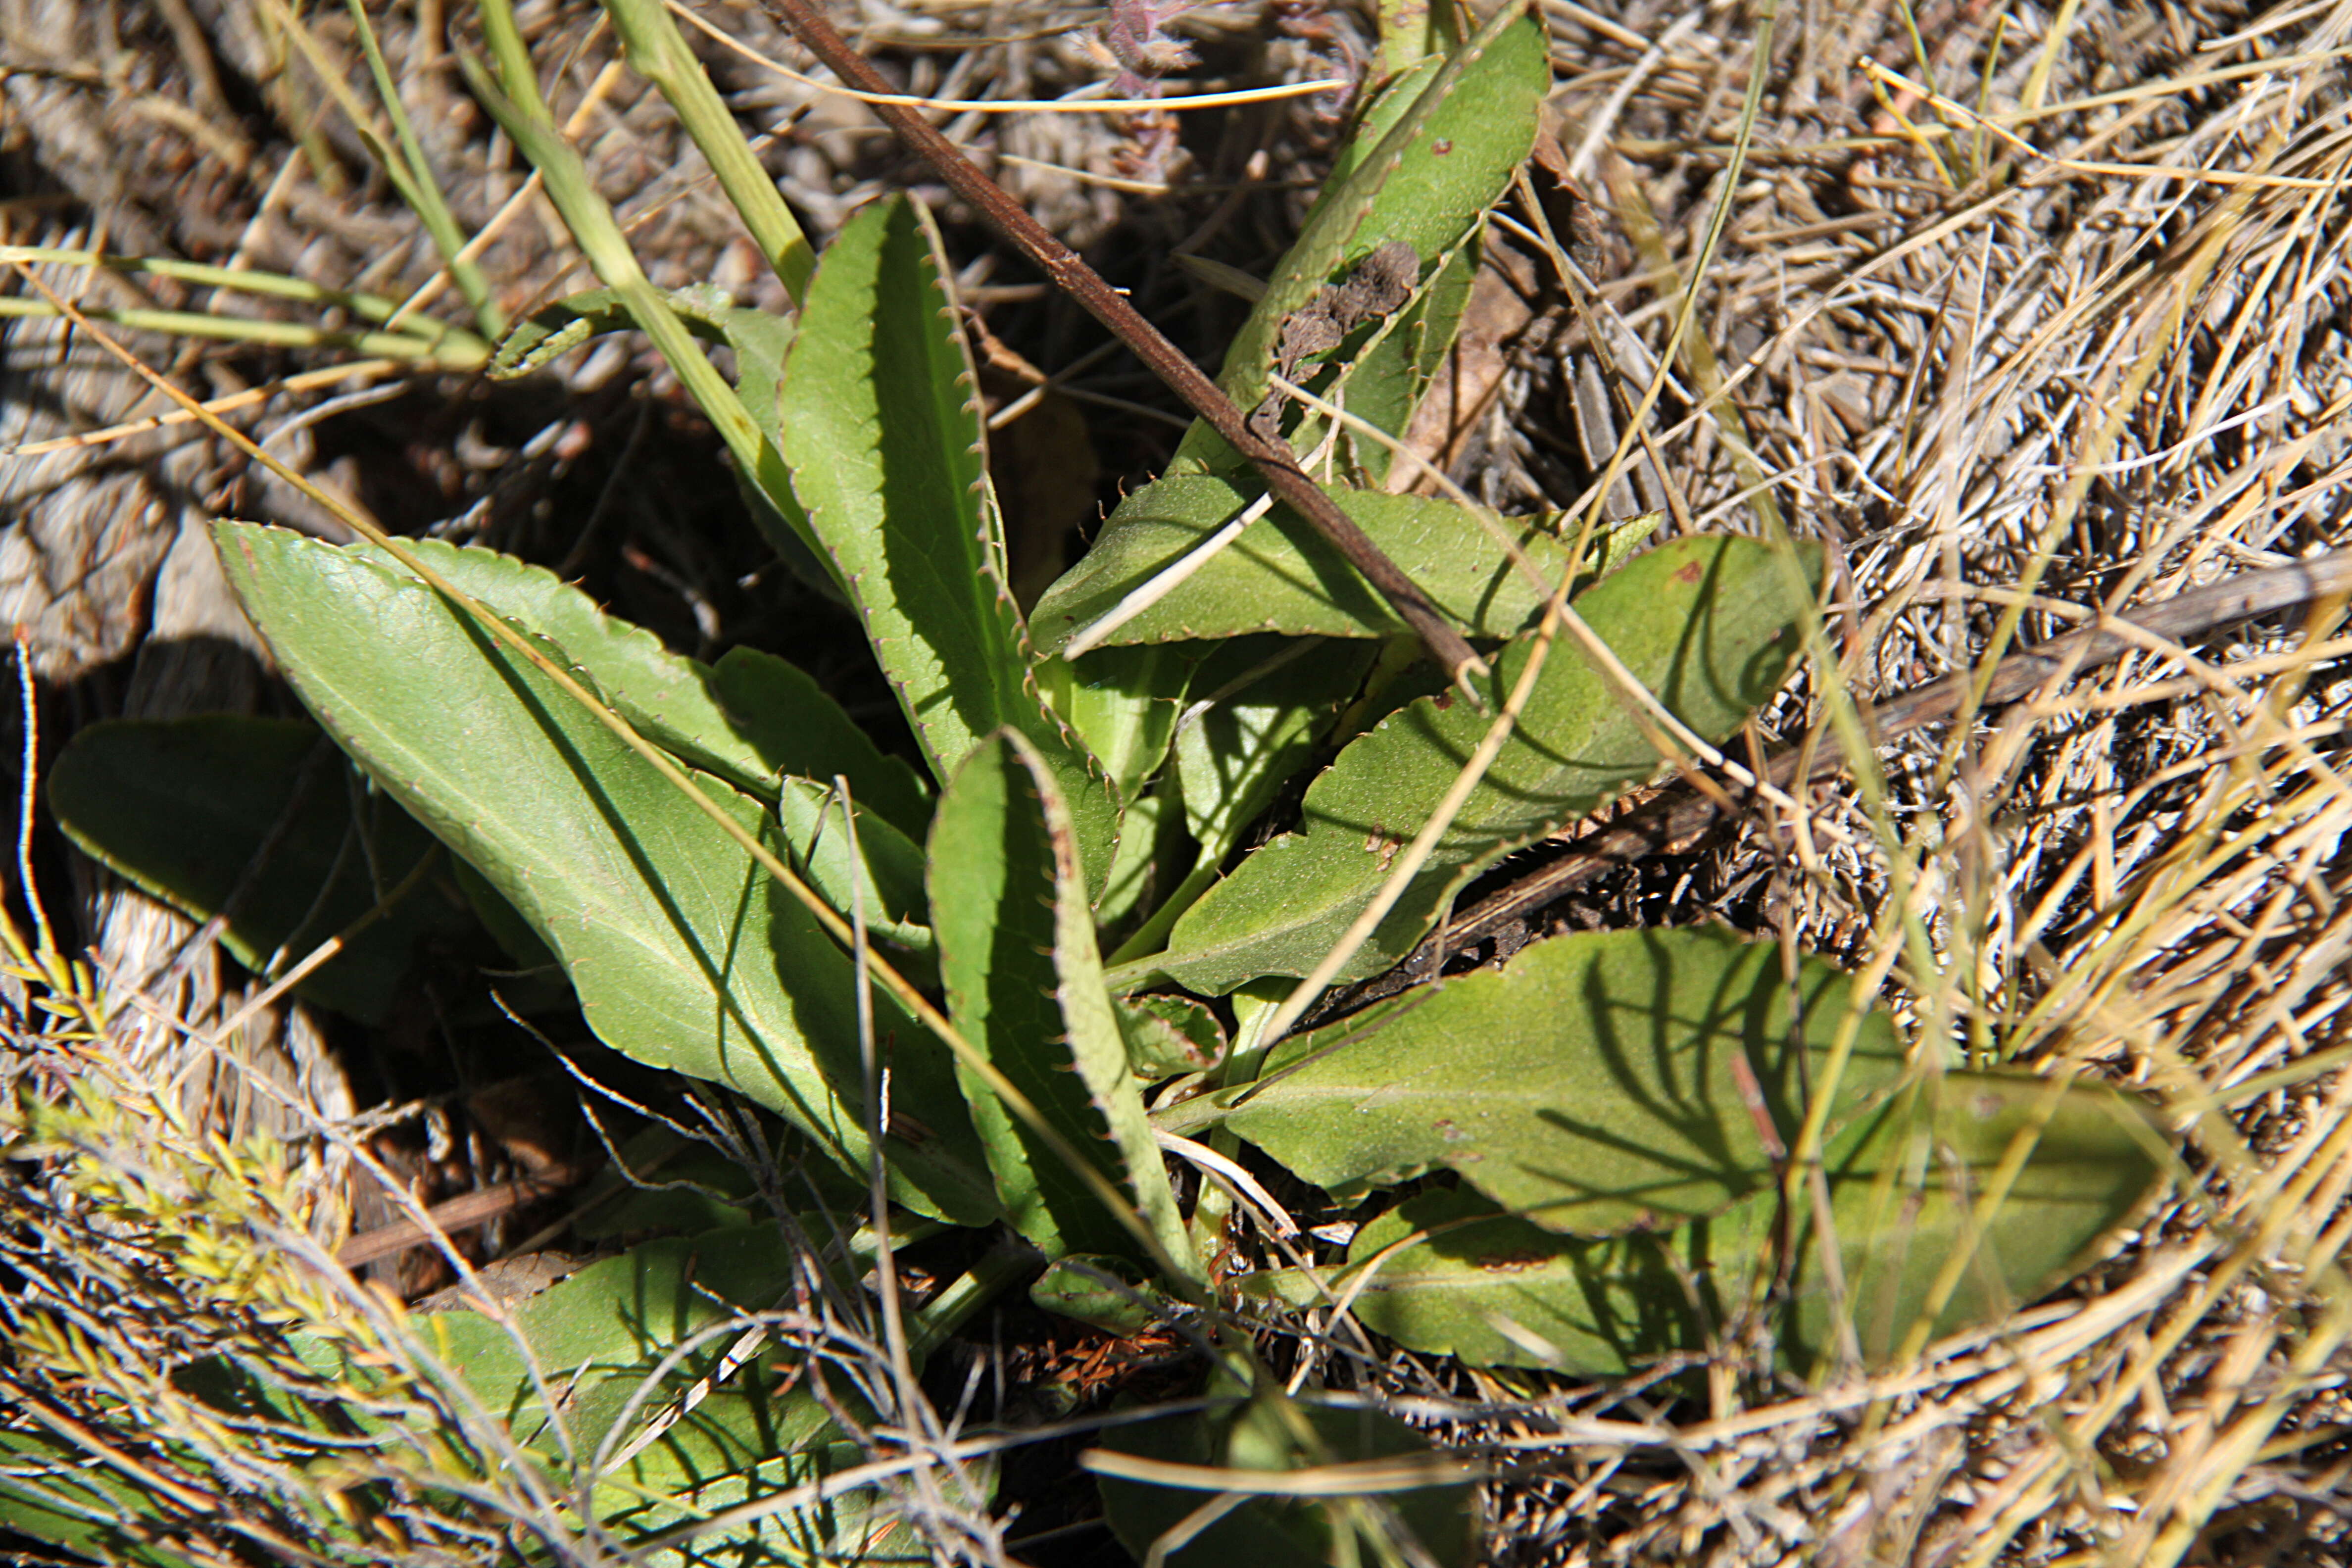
(1648, 1139)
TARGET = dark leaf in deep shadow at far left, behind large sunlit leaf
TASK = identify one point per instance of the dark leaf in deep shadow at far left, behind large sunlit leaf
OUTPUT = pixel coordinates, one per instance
(262, 822)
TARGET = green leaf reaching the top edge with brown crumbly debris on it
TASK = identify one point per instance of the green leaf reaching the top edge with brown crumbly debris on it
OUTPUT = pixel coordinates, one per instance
(1434, 154)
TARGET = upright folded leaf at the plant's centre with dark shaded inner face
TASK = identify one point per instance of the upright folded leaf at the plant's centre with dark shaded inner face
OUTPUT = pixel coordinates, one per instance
(1027, 986)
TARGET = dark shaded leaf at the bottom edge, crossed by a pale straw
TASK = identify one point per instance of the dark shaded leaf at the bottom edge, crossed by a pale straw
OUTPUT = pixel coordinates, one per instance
(1278, 1532)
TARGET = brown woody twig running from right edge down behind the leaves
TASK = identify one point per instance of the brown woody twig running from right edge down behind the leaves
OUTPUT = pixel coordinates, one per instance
(1681, 819)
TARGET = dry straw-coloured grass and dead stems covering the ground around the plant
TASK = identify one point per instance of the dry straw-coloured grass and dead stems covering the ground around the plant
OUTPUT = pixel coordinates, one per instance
(2029, 311)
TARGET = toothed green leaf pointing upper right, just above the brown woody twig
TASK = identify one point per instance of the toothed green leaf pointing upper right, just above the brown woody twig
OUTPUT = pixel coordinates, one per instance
(1704, 624)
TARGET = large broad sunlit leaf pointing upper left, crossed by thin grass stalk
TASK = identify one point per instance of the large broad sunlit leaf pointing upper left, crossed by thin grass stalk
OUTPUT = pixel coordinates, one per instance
(681, 949)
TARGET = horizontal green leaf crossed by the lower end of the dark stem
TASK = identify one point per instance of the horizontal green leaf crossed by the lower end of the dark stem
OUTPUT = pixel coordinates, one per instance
(1281, 577)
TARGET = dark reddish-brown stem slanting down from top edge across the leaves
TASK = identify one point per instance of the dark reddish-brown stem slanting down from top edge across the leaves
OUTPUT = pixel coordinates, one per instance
(1111, 309)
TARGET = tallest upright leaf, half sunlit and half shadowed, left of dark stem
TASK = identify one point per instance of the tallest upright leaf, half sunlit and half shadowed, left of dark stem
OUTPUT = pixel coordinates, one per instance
(881, 429)
